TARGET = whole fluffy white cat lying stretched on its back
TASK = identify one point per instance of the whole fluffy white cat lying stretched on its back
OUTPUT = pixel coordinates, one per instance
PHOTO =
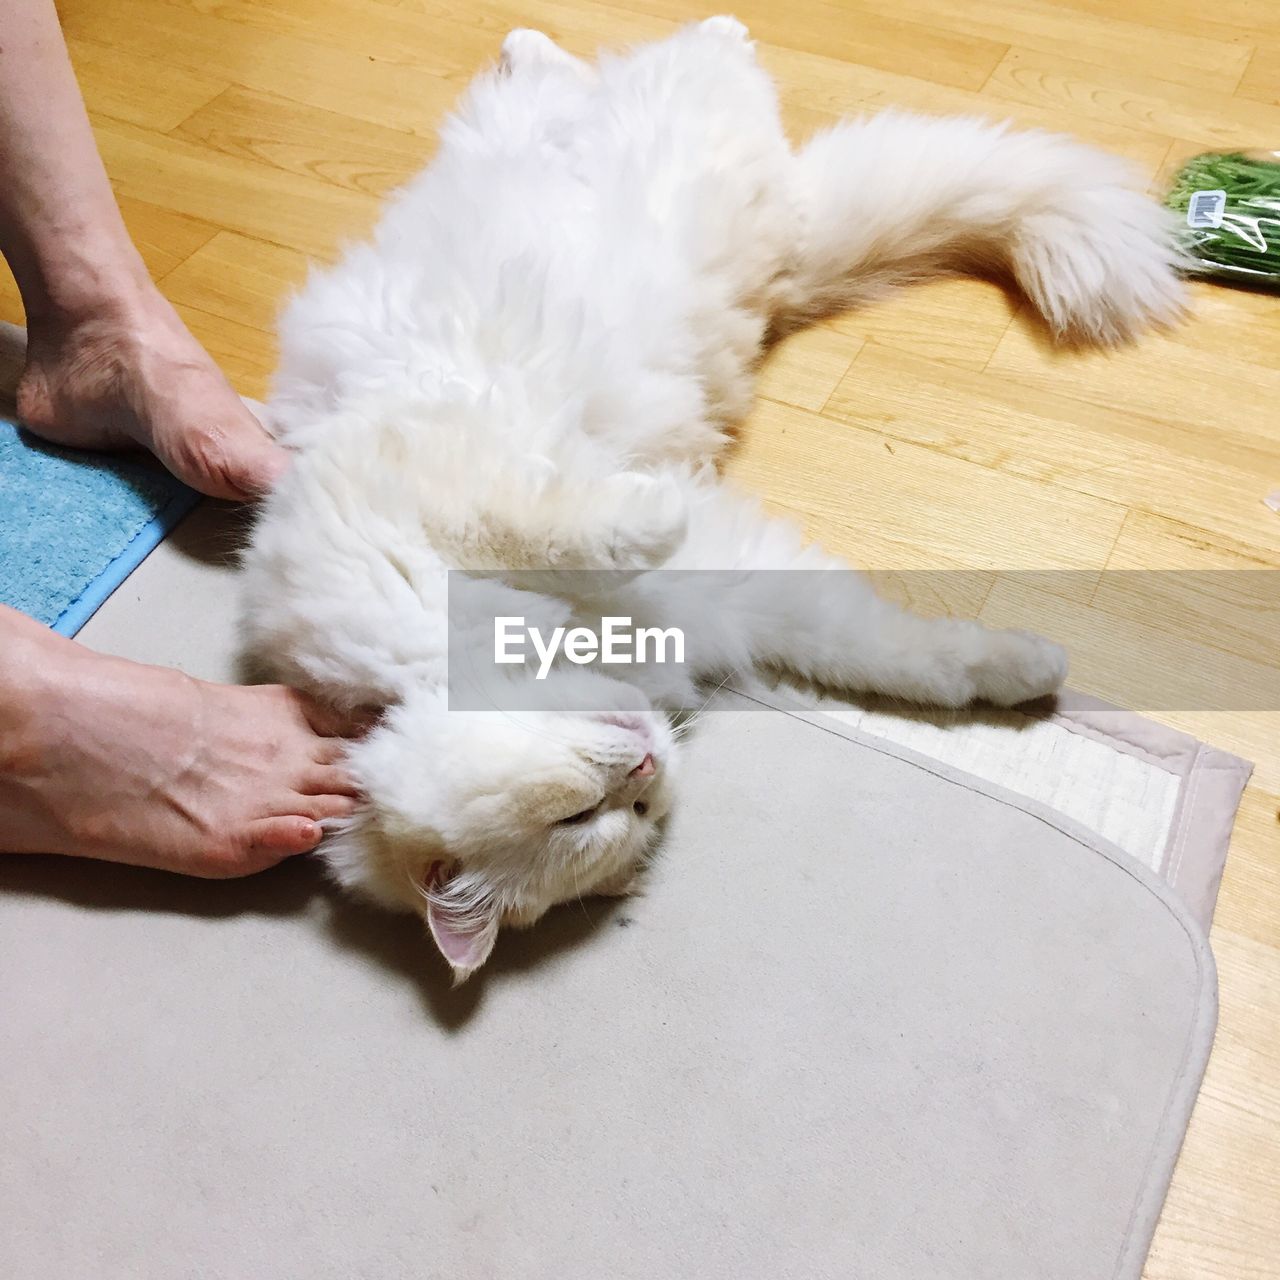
(534, 364)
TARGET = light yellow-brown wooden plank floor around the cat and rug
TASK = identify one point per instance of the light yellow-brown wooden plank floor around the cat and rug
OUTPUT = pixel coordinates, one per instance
(932, 433)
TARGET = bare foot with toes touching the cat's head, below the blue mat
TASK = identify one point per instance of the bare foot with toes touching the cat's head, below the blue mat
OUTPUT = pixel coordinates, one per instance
(111, 760)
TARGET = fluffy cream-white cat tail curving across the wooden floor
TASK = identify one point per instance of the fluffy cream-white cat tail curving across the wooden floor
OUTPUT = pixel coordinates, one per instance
(900, 198)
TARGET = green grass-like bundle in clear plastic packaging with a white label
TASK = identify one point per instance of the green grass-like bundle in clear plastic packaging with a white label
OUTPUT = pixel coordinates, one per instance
(1232, 207)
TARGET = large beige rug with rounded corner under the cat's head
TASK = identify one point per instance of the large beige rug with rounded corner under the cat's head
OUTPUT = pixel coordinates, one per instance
(879, 1016)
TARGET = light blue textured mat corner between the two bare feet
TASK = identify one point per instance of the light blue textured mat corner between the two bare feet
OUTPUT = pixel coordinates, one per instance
(74, 525)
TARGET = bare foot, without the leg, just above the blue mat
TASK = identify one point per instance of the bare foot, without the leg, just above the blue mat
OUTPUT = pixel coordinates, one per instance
(129, 374)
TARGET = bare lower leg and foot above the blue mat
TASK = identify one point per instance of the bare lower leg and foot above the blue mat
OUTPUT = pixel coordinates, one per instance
(109, 363)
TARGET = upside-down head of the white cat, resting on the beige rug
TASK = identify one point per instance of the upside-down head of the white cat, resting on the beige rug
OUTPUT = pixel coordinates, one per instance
(477, 820)
